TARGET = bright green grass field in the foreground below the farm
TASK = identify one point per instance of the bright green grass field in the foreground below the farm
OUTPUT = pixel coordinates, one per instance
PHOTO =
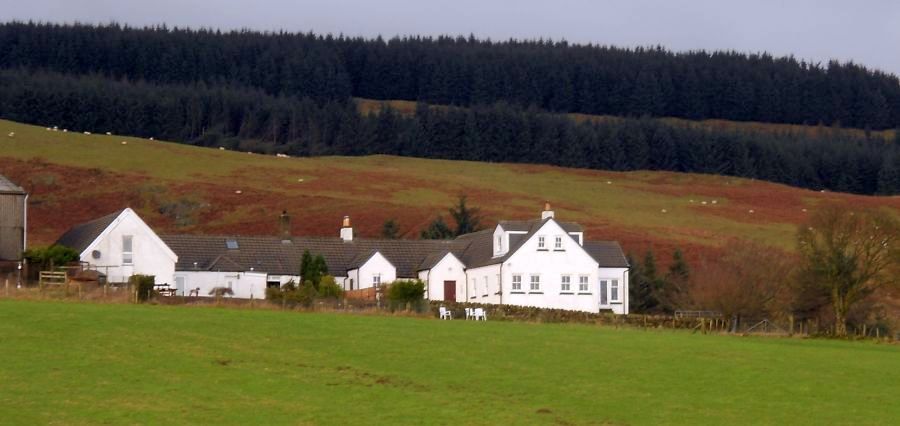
(70, 363)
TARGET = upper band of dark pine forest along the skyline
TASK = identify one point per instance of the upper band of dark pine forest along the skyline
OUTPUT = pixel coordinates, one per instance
(552, 76)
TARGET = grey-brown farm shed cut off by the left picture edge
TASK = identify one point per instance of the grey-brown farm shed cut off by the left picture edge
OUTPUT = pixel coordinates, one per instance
(13, 221)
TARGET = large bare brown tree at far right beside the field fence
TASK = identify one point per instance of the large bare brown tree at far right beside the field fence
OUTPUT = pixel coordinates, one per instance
(849, 254)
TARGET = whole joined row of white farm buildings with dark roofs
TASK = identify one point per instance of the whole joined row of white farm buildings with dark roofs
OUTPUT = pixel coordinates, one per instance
(542, 262)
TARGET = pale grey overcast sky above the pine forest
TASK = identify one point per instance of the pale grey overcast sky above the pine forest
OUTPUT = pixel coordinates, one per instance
(865, 31)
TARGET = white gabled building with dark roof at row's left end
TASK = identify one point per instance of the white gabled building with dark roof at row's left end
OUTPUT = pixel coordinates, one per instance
(120, 245)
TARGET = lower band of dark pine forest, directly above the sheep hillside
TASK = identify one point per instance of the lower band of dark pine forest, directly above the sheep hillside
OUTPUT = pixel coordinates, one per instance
(251, 120)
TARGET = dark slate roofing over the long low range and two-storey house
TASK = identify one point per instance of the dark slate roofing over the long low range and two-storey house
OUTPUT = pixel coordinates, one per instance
(277, 257)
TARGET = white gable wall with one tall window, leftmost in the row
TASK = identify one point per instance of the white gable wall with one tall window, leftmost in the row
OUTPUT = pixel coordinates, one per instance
(150, 256)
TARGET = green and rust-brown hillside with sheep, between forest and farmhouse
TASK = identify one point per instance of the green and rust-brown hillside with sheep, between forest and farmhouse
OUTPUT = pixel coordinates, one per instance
(75, 177)
